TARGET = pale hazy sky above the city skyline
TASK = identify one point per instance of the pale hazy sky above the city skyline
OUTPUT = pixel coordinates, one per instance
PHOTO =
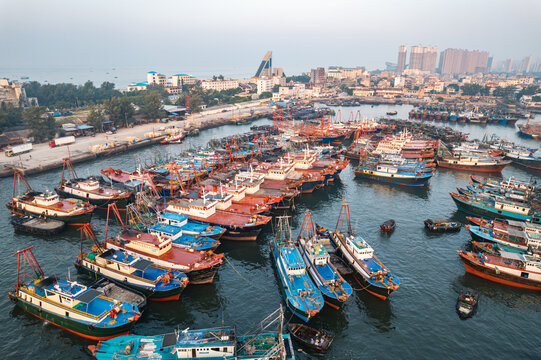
(232, 35)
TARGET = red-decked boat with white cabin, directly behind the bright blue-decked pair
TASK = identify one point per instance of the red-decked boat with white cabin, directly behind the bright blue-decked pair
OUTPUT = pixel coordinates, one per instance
(238, 226)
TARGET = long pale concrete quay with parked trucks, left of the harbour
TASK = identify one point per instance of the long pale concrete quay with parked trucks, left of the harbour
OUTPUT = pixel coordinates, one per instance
(44, 158)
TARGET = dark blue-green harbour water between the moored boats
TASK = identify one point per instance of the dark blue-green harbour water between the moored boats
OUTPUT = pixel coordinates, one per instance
(419, 320)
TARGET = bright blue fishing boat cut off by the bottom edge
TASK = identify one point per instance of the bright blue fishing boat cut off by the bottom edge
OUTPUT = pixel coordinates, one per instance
(211, 343)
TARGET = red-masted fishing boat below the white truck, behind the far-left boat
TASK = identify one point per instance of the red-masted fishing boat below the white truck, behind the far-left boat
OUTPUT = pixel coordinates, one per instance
(90, 189)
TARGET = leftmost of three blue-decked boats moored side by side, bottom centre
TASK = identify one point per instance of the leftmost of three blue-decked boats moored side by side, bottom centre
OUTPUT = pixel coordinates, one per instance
(301, 295)
